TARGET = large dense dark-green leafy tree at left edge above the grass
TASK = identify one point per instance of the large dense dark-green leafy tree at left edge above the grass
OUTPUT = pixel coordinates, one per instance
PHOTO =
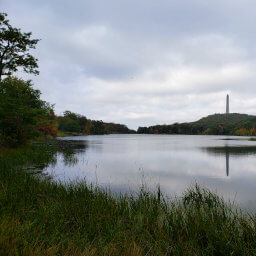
(21, 109)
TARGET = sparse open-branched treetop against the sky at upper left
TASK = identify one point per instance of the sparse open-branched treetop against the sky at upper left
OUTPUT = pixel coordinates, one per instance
(14, 49)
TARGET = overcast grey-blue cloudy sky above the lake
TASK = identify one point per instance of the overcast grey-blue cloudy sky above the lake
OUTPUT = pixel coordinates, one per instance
(142, 62)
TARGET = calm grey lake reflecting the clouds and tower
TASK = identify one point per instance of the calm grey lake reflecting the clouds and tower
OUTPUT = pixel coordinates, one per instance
(123, 162)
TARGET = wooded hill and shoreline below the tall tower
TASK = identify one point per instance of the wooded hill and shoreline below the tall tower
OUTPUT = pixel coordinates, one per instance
(217, 124)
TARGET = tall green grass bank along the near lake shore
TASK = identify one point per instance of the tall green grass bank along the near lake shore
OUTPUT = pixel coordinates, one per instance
(40, 217)
